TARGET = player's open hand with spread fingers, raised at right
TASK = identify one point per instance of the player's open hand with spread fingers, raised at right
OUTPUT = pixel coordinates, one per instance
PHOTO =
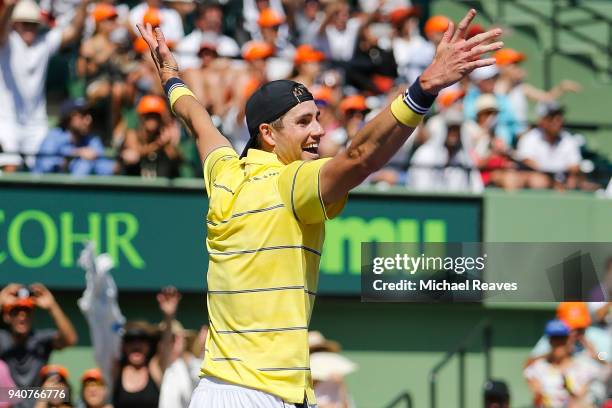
(456, 57)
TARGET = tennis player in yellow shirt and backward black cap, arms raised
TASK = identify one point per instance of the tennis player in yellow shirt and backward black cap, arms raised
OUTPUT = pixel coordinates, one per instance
(271, 203)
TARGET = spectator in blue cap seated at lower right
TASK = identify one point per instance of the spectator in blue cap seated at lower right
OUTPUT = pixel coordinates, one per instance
(558, 379)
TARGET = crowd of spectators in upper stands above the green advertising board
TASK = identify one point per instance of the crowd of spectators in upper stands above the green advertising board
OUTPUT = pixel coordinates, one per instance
(353, 57)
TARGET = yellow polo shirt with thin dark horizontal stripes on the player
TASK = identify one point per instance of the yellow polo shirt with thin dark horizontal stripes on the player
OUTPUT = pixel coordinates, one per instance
(265, 233)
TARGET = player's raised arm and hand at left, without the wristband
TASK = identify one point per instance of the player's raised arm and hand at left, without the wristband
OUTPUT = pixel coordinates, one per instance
(187, 108)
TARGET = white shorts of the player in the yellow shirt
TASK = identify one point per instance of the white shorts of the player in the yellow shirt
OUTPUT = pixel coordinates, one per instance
(214, 393)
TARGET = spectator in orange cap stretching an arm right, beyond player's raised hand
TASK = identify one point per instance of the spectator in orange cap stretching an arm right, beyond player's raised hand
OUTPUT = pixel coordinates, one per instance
(512, 83)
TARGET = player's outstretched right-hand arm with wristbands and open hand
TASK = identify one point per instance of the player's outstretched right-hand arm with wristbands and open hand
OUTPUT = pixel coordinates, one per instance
(380, 138)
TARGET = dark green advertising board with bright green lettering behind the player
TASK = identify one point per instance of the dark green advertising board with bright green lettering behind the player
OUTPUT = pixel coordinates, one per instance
(156, 234)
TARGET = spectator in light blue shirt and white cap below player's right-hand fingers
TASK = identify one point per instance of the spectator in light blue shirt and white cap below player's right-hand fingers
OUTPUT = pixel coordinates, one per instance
(484, 80)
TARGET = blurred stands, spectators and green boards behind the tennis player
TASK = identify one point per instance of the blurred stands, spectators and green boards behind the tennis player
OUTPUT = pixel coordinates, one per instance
(518, 152)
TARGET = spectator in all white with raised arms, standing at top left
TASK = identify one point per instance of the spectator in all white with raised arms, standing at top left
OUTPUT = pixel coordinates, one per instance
(24, 56)
